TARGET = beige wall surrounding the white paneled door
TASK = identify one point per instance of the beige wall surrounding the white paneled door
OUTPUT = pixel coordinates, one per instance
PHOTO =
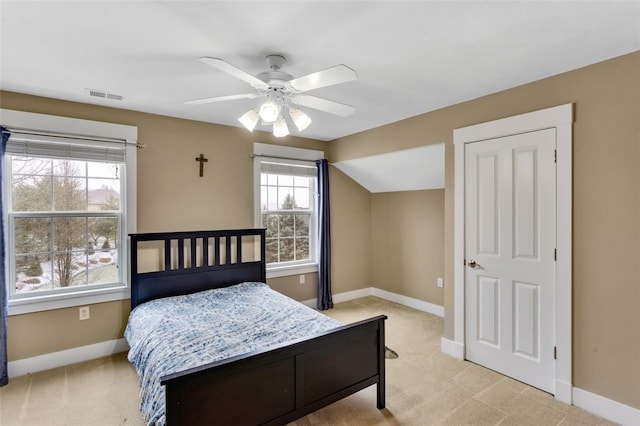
(606, 203)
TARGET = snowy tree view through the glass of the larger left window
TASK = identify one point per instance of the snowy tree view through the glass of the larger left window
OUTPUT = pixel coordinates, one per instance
(66, 220)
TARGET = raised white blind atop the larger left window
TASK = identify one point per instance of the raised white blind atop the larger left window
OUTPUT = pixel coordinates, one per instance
(62, 146)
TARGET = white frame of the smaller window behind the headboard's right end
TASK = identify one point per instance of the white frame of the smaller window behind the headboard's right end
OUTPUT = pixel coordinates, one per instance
(294, 156)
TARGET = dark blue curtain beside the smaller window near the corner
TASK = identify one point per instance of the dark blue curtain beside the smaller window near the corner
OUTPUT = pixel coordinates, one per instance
(324, 225)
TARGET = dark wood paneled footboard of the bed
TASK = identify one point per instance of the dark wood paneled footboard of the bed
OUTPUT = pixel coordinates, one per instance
(281, 384)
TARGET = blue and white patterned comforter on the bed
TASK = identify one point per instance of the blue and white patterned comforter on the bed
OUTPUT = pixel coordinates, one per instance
(177, 333)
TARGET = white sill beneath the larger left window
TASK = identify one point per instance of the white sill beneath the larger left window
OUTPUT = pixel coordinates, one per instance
(61, 301)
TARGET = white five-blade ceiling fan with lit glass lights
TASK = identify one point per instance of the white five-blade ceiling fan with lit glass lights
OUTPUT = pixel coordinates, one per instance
(283, 92)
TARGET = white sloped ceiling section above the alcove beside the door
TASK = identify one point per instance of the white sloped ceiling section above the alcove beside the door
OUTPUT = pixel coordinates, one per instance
(407, 170)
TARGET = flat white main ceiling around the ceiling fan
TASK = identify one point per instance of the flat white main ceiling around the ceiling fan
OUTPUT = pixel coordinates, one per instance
(410, 57)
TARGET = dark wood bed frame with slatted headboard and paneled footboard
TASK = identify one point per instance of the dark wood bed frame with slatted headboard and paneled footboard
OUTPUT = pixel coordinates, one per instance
(273, 386)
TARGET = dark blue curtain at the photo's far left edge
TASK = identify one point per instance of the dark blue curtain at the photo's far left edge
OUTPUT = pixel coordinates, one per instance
(4, 372)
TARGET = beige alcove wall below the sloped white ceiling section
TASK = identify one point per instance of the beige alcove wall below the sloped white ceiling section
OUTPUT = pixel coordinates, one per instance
(407, 243)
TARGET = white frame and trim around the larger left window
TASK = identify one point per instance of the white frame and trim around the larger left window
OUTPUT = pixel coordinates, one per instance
(43, 123)
